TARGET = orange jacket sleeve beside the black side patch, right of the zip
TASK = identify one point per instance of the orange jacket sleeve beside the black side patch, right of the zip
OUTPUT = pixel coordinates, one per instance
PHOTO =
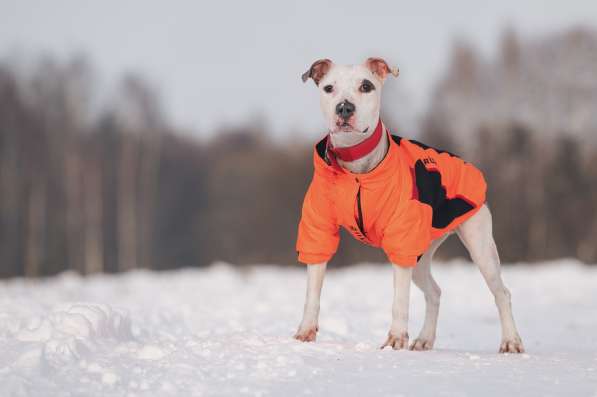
(408, 234)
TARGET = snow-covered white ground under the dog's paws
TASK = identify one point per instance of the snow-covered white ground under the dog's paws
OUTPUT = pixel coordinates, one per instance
(222, 332)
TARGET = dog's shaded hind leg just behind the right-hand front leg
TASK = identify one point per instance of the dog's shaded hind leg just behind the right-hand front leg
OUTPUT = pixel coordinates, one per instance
(424, 280)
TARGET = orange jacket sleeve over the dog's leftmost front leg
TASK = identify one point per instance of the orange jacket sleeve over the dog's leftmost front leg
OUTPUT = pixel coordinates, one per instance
(318, 235)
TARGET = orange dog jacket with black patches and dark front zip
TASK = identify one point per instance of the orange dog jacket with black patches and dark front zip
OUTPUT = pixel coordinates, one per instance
(416, 194)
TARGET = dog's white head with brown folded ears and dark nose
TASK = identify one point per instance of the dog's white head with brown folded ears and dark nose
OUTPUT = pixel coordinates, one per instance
(350, 94)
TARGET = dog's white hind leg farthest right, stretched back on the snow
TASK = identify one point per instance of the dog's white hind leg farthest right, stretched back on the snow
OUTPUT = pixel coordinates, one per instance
(476, 235)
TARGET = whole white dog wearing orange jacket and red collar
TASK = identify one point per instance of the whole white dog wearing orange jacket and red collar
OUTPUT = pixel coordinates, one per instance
(394, 193)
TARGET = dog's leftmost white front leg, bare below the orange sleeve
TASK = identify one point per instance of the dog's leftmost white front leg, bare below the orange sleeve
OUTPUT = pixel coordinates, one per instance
(310, 325)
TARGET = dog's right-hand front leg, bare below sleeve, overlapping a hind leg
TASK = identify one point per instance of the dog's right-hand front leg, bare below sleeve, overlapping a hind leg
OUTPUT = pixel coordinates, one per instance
(398, 335)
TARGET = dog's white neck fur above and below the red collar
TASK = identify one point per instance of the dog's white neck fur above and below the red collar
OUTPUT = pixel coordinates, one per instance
(367, 162)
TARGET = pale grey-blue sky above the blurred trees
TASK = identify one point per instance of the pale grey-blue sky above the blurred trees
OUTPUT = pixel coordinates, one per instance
(226, 62)
